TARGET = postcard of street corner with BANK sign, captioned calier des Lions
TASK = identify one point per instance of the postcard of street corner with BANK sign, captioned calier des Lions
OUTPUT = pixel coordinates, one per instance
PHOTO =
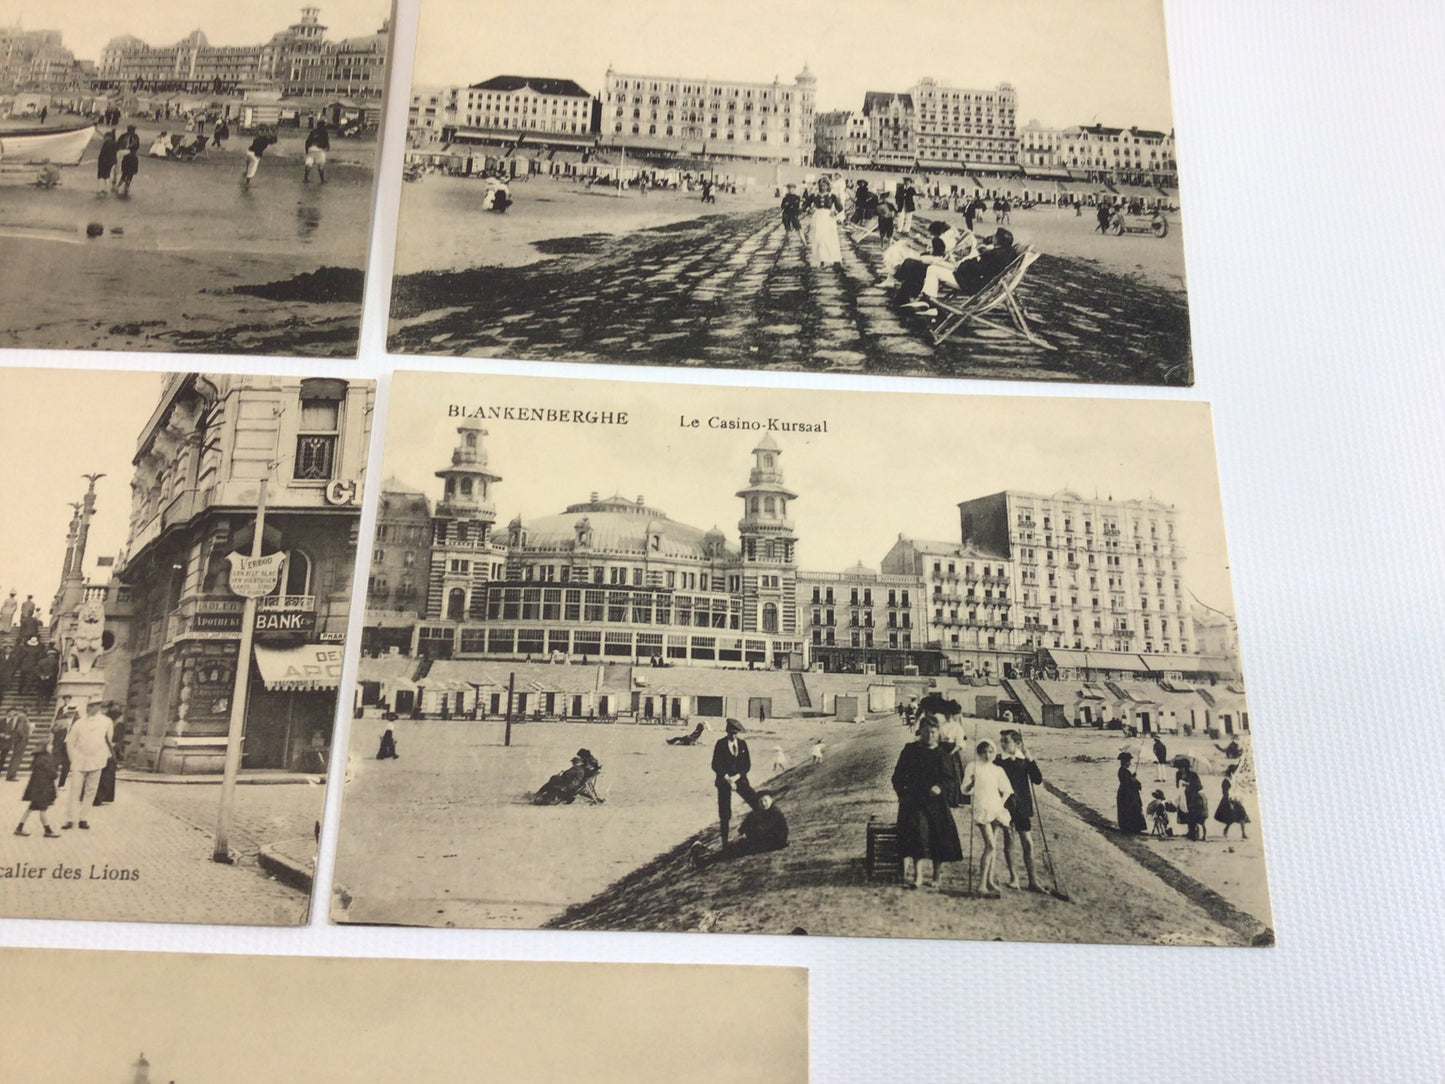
(176, 572)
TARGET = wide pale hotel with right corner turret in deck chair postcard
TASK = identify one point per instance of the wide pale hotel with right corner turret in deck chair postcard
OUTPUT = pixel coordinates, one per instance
(690, 116)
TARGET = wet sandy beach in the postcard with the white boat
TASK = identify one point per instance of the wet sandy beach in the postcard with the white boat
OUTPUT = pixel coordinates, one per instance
(191, 261)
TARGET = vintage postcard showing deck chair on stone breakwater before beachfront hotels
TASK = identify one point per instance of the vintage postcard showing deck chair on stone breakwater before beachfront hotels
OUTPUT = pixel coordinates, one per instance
(982, 189)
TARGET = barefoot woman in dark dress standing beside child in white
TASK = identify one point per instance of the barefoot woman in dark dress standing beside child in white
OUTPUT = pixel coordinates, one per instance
(926, 778)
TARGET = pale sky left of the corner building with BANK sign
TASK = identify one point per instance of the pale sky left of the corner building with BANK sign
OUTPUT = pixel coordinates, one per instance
(59, 426)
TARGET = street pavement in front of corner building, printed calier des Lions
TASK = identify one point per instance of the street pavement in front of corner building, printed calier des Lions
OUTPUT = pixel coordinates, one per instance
(164, 833)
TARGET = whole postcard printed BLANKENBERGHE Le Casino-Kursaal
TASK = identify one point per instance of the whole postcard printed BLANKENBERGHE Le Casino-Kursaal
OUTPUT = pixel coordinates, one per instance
(687, 658)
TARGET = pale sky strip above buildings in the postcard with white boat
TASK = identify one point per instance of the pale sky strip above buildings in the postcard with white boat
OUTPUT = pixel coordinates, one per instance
(87, 25)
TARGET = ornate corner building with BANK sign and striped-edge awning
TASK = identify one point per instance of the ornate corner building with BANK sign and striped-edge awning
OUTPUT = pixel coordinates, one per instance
(199, 472)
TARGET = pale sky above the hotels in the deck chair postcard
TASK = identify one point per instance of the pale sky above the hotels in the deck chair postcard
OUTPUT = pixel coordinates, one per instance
(1070, 61)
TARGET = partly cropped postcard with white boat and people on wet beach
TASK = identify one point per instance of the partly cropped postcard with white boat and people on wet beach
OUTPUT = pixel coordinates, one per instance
(193, 177)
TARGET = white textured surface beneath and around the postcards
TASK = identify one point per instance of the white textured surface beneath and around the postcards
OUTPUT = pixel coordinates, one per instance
(1310, 152)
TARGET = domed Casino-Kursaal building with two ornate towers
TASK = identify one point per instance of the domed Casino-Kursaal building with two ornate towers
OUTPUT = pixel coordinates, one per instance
(609, 579)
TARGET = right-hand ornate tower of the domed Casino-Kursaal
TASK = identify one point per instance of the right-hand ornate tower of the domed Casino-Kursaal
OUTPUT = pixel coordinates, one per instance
(769, 547)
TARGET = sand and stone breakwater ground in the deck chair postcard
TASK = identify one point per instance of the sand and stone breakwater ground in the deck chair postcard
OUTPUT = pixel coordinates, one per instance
(585, 275)
